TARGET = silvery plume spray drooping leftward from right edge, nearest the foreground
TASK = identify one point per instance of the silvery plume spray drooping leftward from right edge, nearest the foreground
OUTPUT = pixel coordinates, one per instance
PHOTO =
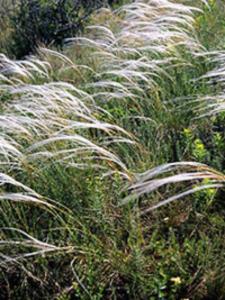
(165, 175)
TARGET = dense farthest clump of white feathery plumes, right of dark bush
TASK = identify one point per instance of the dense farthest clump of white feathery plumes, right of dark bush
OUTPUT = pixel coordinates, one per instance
(137, 51)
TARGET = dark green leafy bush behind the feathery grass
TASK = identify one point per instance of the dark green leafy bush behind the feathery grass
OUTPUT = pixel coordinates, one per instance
(48, 22)
